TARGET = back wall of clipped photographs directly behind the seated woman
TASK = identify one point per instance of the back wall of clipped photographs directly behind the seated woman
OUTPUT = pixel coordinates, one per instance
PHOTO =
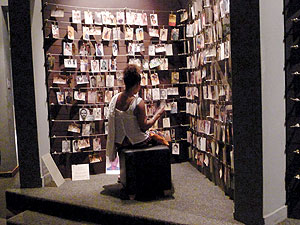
(87, 49)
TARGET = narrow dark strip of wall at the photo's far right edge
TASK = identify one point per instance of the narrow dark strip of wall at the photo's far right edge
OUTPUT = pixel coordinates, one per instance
(292, 70)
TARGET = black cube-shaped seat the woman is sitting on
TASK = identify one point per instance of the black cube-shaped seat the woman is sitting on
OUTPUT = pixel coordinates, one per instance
(146, 170)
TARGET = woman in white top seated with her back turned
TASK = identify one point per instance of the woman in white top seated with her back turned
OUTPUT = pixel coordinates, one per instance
(127, 120)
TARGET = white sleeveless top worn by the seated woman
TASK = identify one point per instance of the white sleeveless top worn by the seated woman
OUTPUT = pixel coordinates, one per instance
(126, 125)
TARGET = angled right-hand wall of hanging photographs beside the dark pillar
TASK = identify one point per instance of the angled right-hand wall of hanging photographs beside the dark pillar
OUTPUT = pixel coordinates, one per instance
(208, 92)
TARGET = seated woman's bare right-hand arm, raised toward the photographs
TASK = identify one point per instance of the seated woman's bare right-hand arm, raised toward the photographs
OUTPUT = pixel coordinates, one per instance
(143, 120)
